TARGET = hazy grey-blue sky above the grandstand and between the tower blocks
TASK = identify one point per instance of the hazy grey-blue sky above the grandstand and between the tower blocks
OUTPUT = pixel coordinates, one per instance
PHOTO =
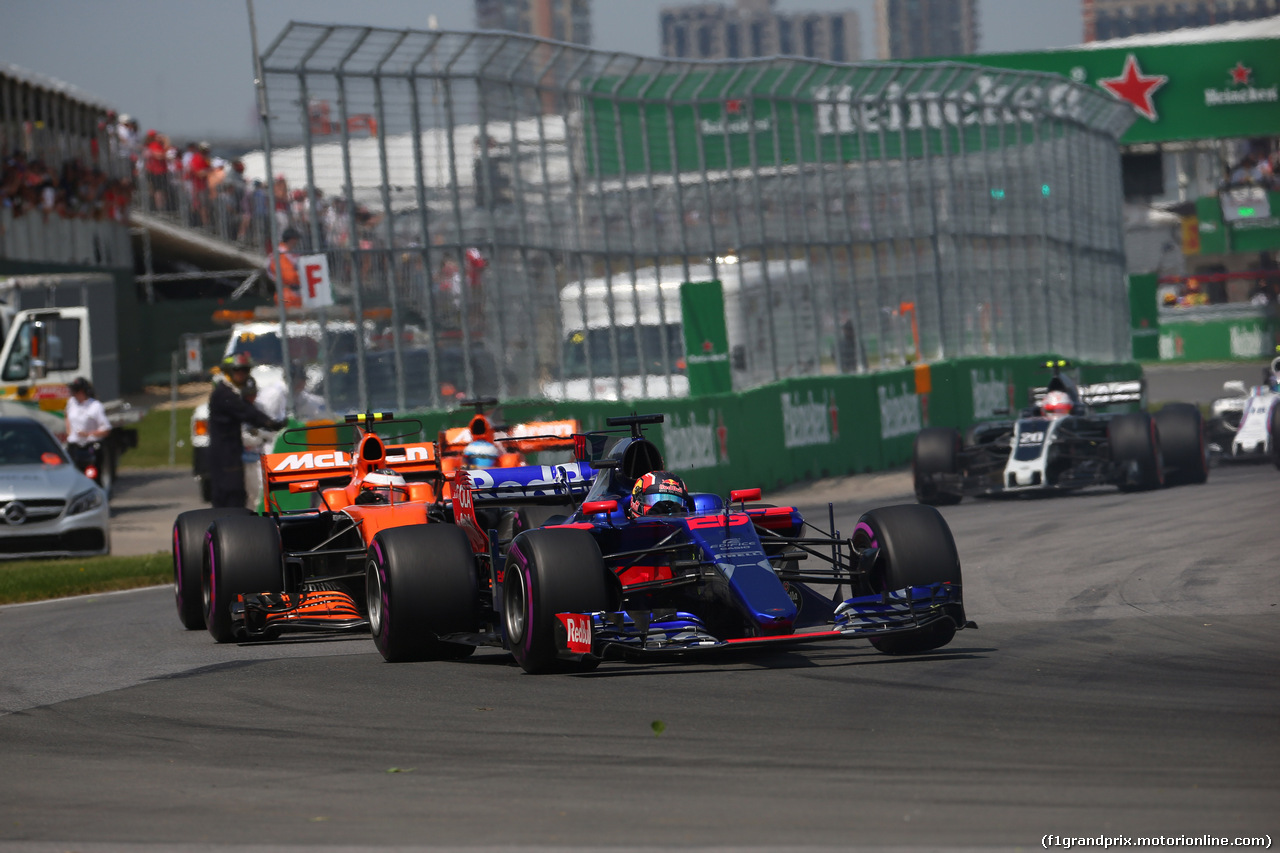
(185, 67)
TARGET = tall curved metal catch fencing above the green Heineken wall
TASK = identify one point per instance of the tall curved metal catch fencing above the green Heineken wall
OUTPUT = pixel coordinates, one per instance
(524, 212)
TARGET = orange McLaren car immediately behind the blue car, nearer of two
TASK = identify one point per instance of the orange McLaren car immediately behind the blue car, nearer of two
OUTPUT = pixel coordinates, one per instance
(245, 576)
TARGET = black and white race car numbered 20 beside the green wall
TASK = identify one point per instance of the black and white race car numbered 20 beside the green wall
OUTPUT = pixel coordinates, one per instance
(1062, 444)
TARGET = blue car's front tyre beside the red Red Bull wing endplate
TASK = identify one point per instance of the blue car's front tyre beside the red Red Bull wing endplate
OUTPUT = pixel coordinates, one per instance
(551, 572)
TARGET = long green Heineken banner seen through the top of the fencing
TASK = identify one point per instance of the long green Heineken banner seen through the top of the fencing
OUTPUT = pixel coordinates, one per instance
(764, 115)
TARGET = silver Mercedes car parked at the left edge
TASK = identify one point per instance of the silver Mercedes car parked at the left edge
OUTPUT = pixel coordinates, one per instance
(48, 508)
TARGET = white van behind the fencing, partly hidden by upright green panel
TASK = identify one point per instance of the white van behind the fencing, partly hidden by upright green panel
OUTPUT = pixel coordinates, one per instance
(650, 334)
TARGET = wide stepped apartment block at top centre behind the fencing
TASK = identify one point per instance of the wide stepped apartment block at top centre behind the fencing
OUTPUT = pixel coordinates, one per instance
(753, 29)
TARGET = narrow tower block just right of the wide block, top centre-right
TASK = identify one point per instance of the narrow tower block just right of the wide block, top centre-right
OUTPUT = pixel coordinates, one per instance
(921, 29)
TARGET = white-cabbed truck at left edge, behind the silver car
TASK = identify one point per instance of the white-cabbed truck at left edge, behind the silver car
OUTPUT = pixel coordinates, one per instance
(57, 330)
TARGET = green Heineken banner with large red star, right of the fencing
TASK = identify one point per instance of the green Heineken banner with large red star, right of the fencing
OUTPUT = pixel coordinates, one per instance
(1217, 90)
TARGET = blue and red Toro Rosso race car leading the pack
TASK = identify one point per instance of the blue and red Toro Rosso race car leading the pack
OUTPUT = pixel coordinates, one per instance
(688, 573)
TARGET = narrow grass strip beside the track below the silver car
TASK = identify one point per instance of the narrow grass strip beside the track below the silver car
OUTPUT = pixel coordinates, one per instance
(42, 580)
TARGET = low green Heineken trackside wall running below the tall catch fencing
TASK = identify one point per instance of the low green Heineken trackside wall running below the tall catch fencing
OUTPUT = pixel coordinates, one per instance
(815, 427)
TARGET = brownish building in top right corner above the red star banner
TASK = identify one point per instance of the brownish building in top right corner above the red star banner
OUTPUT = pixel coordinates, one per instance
(1119, 19)
